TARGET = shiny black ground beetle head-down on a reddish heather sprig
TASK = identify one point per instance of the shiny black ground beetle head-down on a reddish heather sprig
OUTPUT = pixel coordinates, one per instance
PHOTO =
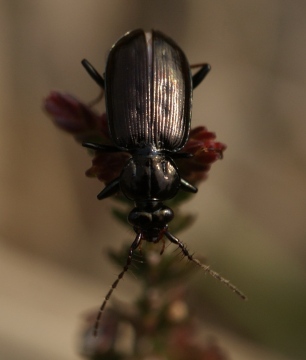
(148, 89)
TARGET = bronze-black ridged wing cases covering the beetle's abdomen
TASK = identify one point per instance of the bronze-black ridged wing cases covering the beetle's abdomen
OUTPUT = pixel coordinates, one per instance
(148, 92)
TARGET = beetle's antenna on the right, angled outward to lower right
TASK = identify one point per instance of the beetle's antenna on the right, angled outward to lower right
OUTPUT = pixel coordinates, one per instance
(206, 268)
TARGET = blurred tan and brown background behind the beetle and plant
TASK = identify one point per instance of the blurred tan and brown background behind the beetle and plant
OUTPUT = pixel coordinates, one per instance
(250, 212)
